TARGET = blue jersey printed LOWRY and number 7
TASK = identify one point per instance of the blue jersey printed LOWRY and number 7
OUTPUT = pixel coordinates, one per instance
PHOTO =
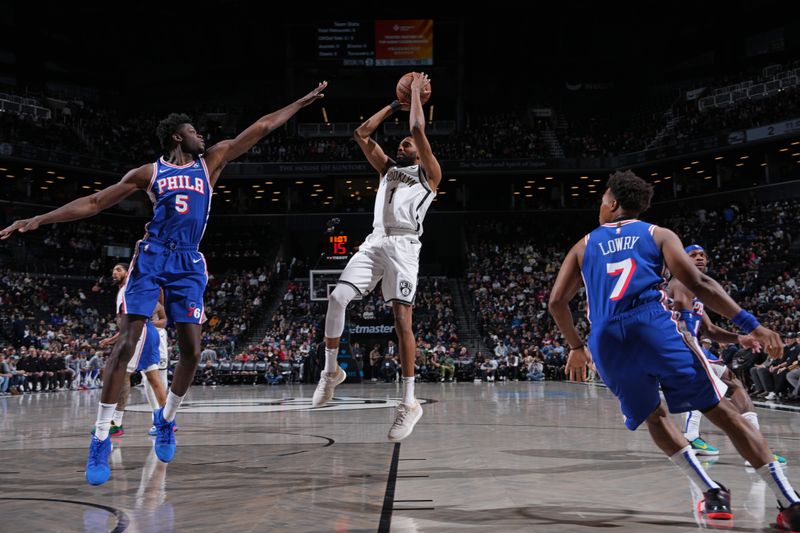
(622, 269)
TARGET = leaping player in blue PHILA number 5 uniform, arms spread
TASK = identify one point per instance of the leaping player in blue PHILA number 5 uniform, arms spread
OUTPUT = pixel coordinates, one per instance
(180, 185)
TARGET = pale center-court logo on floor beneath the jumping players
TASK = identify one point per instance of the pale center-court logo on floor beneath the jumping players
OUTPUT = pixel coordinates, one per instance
(273, 405)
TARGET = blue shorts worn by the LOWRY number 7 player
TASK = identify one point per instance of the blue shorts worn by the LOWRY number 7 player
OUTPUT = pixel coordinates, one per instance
(643, 349)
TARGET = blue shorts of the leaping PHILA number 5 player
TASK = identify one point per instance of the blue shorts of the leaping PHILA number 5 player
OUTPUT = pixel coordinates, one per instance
(178, 269)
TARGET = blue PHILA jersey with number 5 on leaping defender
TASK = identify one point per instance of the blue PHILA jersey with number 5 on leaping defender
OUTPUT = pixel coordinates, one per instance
(181, 197)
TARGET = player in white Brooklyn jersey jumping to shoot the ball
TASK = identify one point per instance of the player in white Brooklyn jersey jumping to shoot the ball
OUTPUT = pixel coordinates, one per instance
(407, 186)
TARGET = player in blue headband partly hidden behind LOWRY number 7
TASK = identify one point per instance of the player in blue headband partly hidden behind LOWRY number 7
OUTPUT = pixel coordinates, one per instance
(697, 321)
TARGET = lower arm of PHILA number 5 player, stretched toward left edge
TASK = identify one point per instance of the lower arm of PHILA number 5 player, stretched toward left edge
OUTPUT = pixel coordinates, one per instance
(87, 206)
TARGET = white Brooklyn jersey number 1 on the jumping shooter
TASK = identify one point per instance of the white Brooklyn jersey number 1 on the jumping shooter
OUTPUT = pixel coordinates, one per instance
(404, 197)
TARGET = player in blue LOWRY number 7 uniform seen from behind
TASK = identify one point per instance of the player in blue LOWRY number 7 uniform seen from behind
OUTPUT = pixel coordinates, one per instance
(638, 346)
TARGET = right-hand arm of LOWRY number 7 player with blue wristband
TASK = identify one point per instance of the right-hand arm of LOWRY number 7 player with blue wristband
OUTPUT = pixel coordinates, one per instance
(711, 293)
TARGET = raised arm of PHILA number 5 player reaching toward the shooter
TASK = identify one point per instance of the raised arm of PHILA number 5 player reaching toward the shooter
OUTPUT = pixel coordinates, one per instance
(218, 155)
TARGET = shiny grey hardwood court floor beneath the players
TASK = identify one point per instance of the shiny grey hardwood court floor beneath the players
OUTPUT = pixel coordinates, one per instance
(488, 457)
